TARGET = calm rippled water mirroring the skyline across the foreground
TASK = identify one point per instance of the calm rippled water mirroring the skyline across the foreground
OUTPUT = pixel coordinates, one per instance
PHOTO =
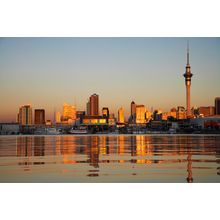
(105, 158)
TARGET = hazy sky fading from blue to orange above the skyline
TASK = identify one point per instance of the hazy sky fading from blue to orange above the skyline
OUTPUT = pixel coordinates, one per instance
(46, 72)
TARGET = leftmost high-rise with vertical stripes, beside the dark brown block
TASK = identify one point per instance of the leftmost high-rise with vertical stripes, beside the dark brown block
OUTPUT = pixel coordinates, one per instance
(25, 115)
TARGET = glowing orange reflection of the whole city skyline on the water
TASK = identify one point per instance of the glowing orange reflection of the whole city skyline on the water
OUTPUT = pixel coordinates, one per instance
(177, 151)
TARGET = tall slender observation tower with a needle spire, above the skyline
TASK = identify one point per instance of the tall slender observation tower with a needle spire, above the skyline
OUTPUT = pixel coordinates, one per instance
(188, 75)
